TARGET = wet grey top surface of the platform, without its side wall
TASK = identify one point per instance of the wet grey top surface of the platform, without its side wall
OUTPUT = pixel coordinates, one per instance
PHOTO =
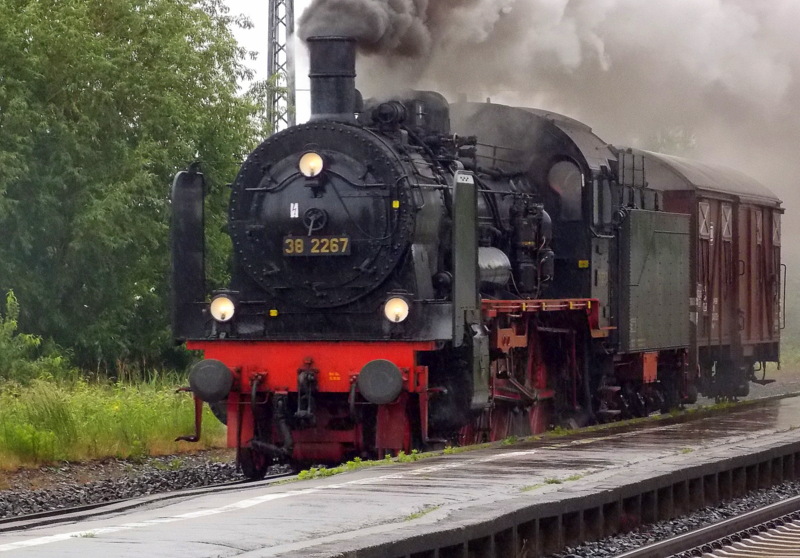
(326, 516)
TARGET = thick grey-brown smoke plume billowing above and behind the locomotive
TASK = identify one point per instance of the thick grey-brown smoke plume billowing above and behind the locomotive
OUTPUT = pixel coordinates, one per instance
(724, 75)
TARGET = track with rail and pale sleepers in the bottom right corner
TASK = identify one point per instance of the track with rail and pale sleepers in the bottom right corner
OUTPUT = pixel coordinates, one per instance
(768, 532)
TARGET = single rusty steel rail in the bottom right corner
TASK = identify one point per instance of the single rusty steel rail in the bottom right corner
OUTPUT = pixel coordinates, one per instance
(705, 536)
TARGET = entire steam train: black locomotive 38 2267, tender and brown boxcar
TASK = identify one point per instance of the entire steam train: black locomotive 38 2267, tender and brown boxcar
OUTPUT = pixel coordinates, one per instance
(409, 273)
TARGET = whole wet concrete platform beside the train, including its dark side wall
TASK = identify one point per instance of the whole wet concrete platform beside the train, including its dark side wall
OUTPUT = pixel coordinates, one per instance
(522, 500)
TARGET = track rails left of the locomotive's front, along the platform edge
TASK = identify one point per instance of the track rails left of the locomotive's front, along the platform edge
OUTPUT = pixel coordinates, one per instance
(75, 513)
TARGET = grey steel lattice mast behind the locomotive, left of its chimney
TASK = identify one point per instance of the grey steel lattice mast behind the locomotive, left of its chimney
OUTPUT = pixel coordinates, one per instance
(280, 62)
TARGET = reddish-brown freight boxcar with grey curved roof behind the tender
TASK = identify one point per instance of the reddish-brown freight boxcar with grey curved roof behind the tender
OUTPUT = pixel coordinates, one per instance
(736, 273)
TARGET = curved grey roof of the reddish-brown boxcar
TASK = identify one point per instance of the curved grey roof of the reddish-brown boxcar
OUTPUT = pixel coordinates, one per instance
(667, 172)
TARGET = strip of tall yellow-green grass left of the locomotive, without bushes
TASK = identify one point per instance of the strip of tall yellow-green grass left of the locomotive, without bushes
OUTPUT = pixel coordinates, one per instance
(48, 421)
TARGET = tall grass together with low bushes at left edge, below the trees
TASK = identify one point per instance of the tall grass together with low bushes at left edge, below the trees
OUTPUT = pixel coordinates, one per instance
(49, 412)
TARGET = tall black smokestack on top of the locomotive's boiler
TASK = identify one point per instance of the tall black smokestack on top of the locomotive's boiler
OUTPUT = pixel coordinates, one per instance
(333, 78)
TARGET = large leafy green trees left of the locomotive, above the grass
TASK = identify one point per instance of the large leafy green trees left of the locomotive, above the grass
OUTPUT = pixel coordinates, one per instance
(101, 102)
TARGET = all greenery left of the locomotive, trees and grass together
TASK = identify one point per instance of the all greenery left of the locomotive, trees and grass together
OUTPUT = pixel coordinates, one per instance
(101, 103)
